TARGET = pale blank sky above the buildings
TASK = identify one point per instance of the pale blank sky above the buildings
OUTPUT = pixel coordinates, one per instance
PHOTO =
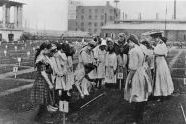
(52, 14)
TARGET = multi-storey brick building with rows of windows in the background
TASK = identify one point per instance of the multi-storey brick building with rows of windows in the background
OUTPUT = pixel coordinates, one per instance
(92, 18)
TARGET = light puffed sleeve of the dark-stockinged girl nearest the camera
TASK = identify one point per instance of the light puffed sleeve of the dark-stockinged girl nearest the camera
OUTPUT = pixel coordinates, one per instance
(133, 60)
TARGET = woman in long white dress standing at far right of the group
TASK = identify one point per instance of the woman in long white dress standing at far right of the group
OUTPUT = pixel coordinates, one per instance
(163, 82)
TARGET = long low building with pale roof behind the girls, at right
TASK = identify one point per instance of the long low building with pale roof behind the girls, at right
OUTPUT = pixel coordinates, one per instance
(174, 30)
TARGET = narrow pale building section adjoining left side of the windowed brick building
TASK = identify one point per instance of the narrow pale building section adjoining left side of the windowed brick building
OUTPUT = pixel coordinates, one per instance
(72, 5)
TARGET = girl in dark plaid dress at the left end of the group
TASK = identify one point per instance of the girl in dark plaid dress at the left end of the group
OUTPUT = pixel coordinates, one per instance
(40, 92)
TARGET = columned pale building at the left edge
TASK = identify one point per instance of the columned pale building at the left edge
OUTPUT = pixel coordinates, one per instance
(10, 31)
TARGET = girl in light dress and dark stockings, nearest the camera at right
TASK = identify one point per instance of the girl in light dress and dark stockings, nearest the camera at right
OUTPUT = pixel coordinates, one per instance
(138, 86)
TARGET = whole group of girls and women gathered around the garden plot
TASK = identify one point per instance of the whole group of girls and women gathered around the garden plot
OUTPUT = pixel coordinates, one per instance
(137, 66)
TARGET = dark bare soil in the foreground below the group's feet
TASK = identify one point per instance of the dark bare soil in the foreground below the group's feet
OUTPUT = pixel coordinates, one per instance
(110, 108)
